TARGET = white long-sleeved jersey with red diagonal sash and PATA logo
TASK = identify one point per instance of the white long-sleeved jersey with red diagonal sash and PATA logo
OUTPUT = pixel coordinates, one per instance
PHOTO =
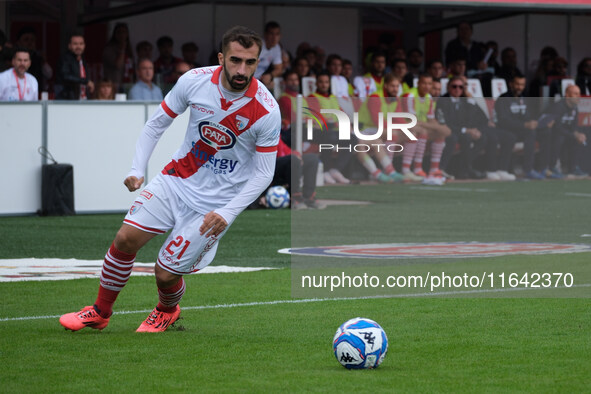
(226, 143)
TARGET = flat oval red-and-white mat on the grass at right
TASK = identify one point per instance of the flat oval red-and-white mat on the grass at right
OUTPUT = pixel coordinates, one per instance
(438, 250)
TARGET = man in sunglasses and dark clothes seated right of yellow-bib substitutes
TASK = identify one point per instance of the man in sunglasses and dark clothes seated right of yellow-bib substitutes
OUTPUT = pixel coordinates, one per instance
(474, 132)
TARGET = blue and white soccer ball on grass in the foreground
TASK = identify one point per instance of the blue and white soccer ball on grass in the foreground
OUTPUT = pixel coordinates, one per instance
(360, 344)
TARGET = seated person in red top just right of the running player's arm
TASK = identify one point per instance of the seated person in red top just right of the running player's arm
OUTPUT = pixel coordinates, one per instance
(289, 163)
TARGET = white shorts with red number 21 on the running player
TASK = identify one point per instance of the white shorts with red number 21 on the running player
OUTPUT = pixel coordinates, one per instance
(158, 209)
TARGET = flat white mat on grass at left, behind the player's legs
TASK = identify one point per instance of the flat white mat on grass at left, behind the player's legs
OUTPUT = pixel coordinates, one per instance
(12, 270)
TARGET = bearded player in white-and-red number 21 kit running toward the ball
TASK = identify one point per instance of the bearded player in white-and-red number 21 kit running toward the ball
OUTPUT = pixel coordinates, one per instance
(225, 162)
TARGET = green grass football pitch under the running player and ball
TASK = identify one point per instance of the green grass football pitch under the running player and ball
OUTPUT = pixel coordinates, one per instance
(244, 332)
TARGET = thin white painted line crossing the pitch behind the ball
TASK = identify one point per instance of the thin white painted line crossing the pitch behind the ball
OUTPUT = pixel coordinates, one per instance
(309, 300)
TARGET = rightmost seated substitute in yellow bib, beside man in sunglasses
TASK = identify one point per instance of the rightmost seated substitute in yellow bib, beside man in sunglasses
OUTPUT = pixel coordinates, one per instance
(419, 102)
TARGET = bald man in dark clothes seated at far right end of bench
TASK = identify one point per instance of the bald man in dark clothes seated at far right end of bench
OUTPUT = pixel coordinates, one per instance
(562, 118)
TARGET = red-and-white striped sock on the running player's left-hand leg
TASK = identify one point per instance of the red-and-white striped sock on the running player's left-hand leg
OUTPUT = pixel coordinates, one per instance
(116, 270)
